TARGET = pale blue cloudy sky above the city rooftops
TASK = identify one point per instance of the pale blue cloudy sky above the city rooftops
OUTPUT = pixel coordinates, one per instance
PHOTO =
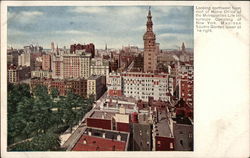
(115, 25)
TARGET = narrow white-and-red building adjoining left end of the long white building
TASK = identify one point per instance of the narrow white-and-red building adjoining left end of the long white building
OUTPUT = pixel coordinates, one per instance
(114, 84)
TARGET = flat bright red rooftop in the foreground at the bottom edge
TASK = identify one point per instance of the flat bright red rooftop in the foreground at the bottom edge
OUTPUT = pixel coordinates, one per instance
(91, 143)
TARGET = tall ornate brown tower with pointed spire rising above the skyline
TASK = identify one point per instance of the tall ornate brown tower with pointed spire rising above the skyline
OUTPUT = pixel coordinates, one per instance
(150, 51)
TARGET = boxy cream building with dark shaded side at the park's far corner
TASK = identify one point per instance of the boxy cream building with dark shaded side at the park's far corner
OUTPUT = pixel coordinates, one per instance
(96, 86)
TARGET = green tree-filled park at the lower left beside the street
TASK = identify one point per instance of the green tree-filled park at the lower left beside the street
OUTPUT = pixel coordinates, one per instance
(36, 118)
